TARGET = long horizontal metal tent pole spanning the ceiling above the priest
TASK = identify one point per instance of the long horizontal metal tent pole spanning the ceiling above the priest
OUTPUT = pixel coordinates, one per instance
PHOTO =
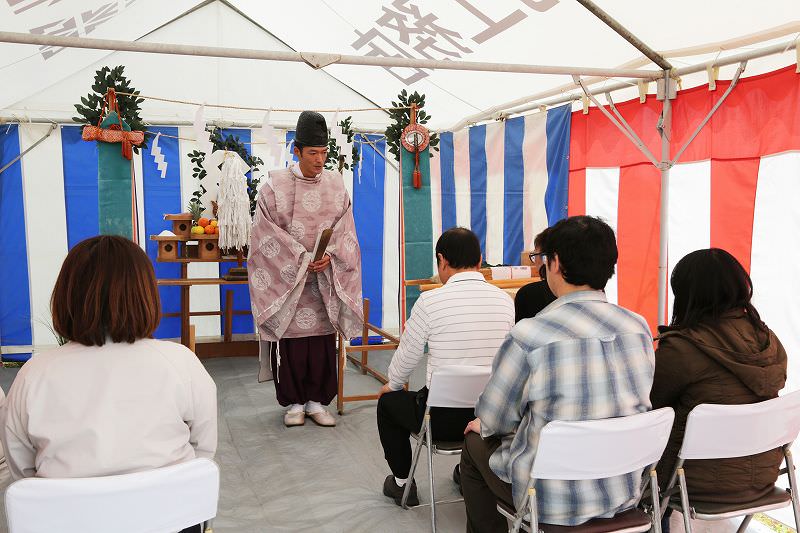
(316, 60)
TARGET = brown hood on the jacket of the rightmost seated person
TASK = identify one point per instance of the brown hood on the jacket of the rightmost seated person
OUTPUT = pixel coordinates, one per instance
(756, 357)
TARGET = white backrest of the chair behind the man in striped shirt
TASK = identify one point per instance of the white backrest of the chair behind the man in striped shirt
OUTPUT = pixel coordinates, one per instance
(457, 385)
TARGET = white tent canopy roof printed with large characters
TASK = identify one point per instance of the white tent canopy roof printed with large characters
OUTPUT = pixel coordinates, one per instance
(529, 32)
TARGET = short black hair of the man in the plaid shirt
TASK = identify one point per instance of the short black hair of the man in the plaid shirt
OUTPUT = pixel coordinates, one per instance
(586, 250)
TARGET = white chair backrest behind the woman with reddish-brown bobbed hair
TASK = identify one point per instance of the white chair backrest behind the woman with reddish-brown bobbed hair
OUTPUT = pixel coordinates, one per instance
(164, 499)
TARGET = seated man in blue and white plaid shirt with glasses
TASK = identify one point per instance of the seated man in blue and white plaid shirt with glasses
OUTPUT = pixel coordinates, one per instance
(581, 358)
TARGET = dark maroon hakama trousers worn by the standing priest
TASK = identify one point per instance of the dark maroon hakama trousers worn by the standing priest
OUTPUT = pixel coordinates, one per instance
(307, 370)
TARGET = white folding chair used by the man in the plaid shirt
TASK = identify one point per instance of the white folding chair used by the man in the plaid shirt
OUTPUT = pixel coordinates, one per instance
(597, 449)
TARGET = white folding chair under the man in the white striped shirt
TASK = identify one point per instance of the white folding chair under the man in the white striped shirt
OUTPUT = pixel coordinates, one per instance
(451, 386)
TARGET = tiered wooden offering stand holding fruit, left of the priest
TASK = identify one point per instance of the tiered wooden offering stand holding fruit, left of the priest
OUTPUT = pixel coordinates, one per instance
(184, 248)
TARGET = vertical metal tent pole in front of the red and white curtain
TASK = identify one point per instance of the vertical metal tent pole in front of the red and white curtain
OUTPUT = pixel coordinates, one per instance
(665, 131)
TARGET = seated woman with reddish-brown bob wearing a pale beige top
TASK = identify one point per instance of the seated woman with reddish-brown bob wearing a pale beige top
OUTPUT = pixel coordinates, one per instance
(111, 400)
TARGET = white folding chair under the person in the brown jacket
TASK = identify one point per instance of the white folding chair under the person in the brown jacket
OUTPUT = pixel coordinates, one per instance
(722, 431)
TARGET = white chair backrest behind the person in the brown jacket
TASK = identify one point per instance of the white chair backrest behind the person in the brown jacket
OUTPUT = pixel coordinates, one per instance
(720, 431)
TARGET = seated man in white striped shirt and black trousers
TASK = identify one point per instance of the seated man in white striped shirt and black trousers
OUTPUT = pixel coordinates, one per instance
(463, 323)
